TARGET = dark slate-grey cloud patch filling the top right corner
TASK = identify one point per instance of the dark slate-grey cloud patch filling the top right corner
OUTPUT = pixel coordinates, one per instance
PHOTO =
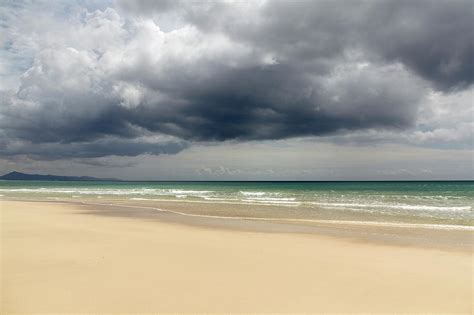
(434, 38)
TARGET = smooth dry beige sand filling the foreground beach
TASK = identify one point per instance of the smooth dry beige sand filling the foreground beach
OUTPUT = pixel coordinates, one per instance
(58, 258)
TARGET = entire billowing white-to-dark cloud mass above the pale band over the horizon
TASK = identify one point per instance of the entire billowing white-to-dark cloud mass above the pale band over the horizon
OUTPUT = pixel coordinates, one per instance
(233, 71)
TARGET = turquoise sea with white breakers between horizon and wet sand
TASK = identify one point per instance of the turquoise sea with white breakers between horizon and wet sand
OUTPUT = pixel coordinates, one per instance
(439, 202)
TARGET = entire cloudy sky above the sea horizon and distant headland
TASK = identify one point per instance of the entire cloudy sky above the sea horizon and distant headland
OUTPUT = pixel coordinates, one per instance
(238, 90)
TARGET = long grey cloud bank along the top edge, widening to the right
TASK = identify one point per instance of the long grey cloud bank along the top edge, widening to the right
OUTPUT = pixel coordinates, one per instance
(433, 38)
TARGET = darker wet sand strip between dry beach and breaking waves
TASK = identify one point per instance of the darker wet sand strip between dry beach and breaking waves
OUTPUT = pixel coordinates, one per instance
(275, 219)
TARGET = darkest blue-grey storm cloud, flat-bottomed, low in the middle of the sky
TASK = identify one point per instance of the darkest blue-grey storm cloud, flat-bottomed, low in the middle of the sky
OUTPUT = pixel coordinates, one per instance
(279, 102)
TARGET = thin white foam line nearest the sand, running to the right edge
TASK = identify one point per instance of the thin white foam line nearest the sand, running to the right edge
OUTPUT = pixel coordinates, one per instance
(334, 222)
